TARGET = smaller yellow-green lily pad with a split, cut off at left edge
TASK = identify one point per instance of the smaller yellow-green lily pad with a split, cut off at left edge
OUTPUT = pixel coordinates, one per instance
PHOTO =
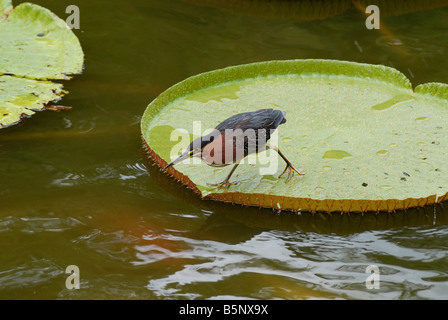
(35, 46)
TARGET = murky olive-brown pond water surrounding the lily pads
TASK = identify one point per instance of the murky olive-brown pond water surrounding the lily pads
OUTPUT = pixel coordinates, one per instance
(76, 187)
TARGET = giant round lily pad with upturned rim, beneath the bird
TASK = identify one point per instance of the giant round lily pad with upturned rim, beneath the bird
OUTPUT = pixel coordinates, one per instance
(365, 139)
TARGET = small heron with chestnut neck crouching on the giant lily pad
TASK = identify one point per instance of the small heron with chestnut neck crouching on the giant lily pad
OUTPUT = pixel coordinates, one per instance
(235, 138)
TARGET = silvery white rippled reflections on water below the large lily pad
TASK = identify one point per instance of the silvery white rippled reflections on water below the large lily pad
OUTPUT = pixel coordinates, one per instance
(330, 264)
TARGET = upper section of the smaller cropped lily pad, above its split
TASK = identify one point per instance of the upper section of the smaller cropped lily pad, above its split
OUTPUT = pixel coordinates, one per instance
(37, 44)
